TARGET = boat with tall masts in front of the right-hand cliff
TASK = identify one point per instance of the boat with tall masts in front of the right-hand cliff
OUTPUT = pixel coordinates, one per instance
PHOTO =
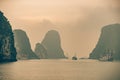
(108, 56)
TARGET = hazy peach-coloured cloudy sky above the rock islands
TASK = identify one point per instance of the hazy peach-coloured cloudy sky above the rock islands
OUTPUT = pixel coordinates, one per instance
(78, 21)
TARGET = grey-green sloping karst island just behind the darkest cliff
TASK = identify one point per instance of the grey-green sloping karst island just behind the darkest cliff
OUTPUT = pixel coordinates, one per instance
(23, 46)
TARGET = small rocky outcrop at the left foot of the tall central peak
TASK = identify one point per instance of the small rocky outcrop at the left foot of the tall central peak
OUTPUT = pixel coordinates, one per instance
(41, 51)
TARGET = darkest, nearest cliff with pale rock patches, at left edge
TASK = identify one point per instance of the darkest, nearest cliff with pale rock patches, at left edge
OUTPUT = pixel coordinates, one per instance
(7, 49)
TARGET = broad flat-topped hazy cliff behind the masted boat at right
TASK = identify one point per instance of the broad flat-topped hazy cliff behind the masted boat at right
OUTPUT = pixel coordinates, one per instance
(109, 41)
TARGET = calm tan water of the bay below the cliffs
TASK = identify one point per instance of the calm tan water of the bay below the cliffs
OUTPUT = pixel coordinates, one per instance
(57, 70)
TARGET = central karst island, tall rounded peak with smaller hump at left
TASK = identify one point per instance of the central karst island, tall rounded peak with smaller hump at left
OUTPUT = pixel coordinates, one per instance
(51, 46)
